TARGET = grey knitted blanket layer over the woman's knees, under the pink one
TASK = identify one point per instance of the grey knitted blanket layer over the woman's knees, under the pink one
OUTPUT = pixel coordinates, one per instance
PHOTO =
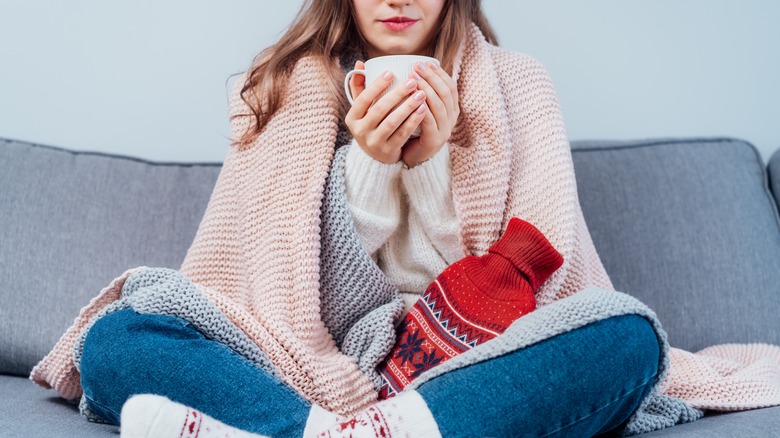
(360, 308)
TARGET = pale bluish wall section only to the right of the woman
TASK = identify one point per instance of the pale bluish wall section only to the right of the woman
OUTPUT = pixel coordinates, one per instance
(633, 69)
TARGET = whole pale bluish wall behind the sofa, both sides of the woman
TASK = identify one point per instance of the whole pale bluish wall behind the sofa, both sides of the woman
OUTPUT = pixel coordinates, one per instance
(147, 78)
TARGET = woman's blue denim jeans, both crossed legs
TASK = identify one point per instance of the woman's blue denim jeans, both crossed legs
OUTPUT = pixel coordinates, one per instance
(581, 383)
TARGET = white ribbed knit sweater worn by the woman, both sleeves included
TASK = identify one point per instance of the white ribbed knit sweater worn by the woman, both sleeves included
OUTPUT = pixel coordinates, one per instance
(405, 217)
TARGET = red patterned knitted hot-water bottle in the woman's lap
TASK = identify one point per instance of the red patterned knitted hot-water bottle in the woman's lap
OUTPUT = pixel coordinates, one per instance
(473, 300)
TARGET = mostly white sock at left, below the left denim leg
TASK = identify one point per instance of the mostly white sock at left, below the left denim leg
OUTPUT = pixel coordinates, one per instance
(154, 416)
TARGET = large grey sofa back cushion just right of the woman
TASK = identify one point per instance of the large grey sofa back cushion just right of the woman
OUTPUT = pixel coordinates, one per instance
(690, 228)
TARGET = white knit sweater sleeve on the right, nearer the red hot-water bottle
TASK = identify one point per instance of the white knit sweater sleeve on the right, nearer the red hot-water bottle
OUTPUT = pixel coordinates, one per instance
(429, 188)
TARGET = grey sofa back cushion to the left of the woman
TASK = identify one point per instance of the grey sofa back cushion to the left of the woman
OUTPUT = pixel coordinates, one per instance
(70, 222)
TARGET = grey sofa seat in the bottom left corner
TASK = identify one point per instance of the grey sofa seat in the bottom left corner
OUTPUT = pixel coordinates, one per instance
(27, 410)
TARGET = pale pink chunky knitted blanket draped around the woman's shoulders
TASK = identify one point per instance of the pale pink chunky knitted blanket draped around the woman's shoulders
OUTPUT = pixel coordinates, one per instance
(256, 253)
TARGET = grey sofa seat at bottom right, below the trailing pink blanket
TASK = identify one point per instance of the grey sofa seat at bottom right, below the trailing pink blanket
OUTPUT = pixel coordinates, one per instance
(763, 423)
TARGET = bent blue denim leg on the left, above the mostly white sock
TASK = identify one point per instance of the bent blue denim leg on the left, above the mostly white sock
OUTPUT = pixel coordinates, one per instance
(126, 353)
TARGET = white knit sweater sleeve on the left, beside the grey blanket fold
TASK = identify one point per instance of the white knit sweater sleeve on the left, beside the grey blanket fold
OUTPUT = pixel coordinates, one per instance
(373, 194)
